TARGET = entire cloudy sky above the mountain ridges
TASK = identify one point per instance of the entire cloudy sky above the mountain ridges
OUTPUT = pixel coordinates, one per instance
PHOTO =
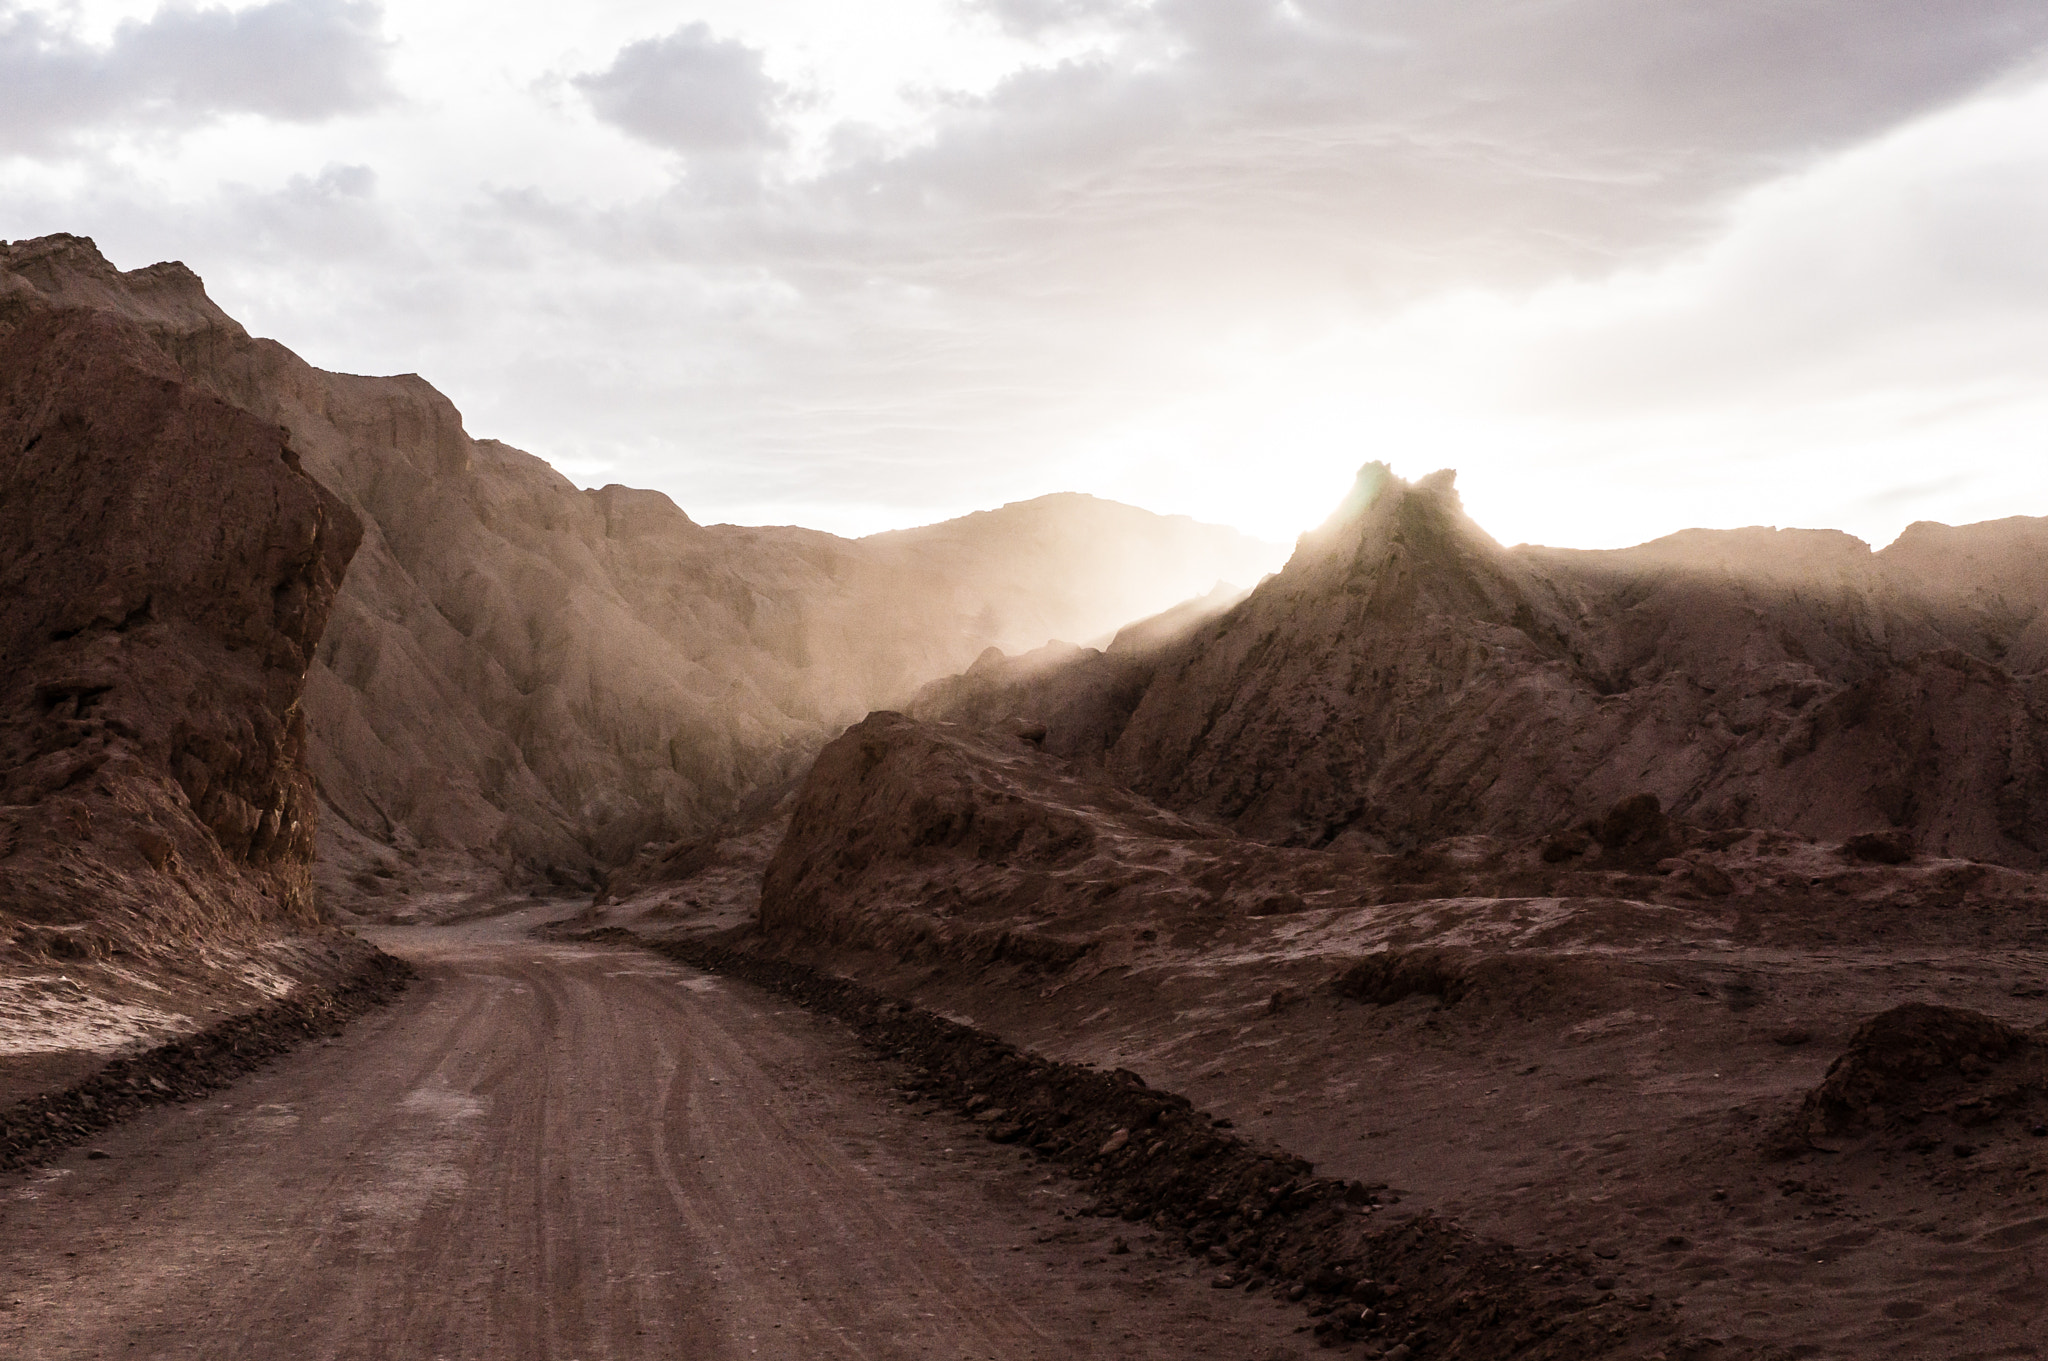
(1627, 265)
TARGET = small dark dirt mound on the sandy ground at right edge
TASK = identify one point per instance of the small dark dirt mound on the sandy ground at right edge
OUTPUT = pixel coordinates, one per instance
(1897, 1057)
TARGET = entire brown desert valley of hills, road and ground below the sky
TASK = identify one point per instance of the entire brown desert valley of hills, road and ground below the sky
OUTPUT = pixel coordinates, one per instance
(450, 912)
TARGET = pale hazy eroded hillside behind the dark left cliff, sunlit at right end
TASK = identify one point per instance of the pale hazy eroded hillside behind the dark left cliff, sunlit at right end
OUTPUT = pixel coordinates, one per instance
(538, 680)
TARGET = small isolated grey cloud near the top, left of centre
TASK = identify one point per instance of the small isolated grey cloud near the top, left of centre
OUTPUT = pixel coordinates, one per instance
(689, 93)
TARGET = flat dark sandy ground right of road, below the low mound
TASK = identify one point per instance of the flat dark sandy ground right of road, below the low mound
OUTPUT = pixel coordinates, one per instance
(1623, 1108)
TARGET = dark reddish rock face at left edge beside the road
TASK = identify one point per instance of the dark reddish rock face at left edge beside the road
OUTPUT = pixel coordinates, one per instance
(167, 570)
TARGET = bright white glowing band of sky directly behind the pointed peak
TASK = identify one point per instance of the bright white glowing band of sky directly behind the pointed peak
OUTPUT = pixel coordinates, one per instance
(1811, 365)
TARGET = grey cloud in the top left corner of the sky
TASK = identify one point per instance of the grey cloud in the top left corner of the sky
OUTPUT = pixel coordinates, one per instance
(292, 60)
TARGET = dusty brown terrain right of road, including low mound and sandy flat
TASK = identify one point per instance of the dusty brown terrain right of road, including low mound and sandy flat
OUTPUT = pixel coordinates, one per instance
(1619, 1039)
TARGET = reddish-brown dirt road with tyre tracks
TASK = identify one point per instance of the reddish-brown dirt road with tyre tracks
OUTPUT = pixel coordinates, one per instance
(574, 1153)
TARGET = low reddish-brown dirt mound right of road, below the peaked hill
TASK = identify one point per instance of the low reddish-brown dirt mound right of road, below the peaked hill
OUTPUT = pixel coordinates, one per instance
(933, 840)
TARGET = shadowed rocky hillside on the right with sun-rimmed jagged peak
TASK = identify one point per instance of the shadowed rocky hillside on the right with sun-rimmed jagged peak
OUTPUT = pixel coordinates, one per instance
(1406, 678)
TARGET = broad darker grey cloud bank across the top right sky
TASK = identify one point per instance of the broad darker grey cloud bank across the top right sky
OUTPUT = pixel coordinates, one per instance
(1383, 148)
